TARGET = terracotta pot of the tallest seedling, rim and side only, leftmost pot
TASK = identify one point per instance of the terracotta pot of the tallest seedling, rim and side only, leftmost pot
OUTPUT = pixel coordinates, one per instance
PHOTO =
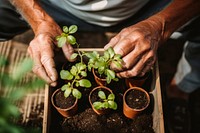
(68, 112)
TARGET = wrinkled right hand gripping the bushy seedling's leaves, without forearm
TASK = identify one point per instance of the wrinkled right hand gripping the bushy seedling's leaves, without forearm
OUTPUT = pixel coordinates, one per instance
(138, 46)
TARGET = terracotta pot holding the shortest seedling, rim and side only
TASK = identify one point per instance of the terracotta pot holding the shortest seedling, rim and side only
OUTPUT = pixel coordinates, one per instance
(102, 111)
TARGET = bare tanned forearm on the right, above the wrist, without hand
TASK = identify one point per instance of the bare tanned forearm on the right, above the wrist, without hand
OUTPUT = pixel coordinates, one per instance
(175, 15)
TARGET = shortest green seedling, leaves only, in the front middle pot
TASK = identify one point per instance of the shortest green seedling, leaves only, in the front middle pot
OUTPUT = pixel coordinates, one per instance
(107, 102)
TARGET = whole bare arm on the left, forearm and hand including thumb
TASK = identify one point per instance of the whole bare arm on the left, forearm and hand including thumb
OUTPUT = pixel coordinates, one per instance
(41, 48)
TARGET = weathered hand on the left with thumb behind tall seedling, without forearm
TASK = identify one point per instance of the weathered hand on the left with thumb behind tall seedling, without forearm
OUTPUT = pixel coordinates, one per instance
(41, 50)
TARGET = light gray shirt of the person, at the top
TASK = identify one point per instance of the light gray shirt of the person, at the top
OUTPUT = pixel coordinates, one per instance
(101, 12)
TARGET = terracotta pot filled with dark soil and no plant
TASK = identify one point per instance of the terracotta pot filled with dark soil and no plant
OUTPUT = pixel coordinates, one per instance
(135, 95)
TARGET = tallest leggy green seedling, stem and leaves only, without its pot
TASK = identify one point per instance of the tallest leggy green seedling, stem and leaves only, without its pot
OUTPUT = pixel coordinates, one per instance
(77, 73)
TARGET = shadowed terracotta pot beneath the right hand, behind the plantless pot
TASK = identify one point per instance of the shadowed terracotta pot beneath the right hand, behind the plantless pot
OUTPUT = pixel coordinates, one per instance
(136, 81)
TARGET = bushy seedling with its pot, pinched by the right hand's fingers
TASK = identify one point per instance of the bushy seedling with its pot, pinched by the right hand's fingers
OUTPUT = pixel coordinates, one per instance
(100, 65)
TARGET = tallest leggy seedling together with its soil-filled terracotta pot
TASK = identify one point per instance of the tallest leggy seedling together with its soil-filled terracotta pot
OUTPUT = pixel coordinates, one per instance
(65, 98)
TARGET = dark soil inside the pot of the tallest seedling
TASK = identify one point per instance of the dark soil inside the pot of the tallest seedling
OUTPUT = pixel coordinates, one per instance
(62, 101)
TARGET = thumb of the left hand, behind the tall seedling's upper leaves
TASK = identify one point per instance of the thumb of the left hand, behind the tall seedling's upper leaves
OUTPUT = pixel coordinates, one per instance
(68, 51)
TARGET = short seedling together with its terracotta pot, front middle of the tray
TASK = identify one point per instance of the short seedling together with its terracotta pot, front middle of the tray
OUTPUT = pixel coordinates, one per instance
(102, 100)
